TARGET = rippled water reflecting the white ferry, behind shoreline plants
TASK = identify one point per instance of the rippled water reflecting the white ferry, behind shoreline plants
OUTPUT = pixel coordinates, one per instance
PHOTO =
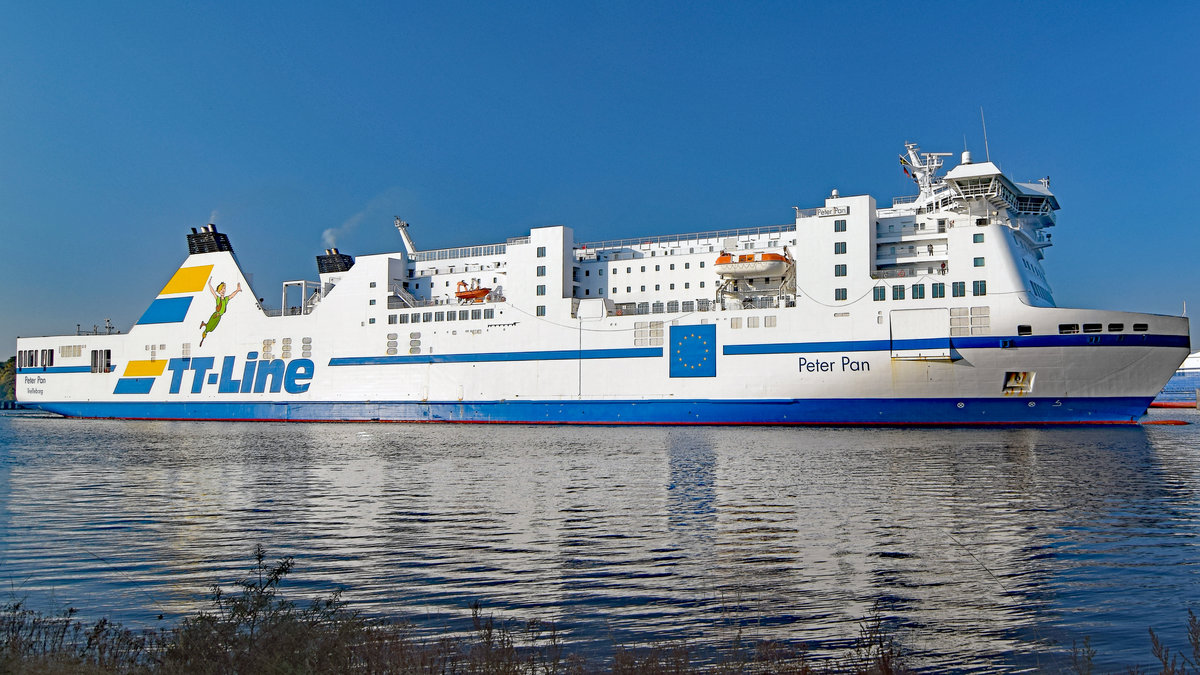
(986, 549)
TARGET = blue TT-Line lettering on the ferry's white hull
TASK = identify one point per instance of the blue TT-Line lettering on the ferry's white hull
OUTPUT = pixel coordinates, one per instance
(257, 375)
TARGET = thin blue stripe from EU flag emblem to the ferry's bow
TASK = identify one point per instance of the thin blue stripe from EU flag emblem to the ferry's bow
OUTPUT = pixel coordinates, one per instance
(977, 343)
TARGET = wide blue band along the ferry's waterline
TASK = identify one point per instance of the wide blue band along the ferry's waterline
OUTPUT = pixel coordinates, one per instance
(811, 411)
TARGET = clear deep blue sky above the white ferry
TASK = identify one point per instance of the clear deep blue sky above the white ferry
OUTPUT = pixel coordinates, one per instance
(125, 124)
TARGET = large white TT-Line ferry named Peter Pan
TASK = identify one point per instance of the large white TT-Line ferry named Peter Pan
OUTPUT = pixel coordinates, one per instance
(933, 310)
